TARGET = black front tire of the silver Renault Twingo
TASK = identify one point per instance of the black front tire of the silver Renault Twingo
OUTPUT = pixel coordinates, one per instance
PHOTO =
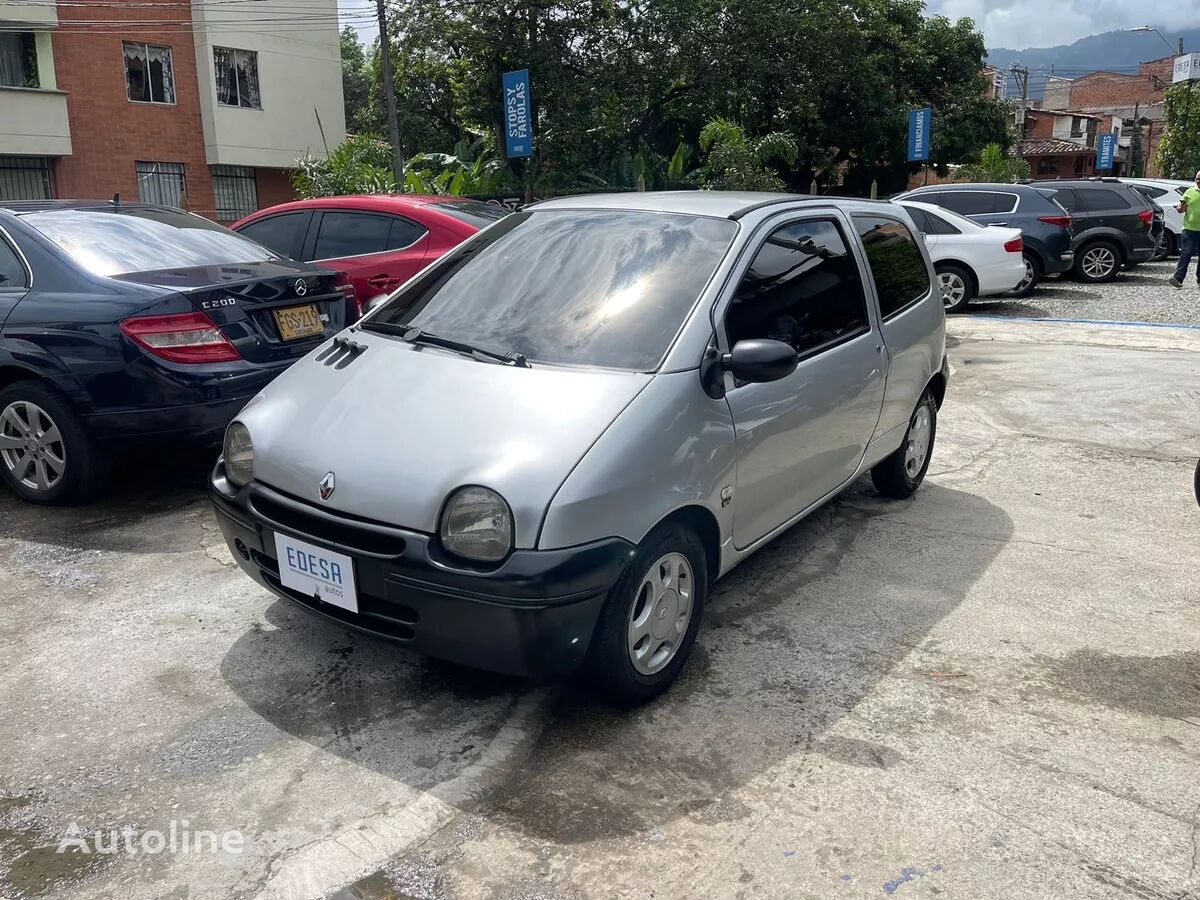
(614, 667)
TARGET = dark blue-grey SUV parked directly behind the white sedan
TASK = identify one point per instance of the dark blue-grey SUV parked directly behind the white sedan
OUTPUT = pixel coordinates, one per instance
(1046, 227)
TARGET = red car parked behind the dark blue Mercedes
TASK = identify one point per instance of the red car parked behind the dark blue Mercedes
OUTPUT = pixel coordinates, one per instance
(381, 241)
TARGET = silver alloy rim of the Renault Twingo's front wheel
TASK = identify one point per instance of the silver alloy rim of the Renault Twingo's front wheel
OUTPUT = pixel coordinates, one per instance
(661, 614)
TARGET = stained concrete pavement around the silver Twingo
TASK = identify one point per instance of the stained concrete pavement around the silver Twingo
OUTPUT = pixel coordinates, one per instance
(992, 691)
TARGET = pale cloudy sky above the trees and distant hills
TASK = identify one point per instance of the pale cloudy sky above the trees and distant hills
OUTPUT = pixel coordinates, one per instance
(1005, 23)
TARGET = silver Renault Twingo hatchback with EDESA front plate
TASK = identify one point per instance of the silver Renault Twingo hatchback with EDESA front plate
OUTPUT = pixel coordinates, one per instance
(541, 453)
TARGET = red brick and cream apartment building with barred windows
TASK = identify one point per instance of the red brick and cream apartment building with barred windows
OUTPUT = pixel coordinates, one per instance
(188, 103)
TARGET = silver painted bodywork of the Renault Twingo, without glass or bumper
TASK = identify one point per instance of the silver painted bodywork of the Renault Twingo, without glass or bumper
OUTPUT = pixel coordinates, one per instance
(581, 455)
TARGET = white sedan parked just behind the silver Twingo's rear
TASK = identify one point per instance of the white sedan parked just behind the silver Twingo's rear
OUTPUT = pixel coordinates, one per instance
(970, 260)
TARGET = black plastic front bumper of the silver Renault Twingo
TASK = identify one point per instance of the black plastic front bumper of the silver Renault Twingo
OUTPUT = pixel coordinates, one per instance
(532, 616)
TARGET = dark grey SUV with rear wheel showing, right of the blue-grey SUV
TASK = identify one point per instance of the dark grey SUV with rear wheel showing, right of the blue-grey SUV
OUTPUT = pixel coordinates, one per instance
(1115, 225)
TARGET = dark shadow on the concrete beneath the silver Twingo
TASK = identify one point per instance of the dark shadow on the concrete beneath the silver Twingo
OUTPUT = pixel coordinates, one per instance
(794, 639)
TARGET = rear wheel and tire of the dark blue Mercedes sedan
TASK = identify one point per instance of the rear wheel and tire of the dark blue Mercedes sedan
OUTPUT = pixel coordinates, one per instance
(62, 466)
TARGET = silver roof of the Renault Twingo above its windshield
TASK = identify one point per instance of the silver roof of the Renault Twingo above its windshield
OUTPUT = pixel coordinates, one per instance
(724, 205)
